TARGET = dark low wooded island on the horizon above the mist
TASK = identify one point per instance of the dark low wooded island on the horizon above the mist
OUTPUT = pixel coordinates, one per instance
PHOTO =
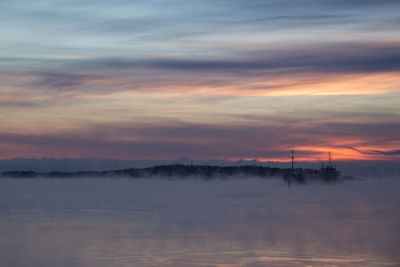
(191, 171)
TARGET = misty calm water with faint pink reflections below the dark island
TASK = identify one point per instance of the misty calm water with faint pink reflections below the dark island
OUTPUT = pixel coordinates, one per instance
(193, 222)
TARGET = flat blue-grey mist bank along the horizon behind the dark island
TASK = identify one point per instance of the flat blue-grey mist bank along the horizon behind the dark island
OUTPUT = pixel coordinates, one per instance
(352, 168)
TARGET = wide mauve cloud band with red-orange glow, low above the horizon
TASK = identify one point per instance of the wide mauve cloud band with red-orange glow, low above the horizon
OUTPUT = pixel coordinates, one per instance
(200, 140)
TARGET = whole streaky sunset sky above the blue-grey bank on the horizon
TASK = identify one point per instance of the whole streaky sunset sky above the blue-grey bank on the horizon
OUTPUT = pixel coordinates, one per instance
(226, 79)
